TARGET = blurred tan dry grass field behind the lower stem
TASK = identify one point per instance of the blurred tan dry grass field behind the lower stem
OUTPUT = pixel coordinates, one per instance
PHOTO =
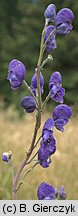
(16, 134)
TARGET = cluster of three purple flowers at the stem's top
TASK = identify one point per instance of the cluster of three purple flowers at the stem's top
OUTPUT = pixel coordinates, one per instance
(62, 24)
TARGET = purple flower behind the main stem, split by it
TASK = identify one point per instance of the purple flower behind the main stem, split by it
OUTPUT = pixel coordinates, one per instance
(34, 83)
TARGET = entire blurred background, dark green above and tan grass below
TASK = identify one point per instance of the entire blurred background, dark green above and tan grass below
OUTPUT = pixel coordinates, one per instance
(21, 24)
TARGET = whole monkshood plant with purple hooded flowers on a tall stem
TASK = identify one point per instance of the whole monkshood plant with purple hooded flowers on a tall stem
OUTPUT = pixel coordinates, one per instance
(55, 24)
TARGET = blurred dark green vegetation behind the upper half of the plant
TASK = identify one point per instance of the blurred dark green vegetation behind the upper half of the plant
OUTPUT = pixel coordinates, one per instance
(21, 24)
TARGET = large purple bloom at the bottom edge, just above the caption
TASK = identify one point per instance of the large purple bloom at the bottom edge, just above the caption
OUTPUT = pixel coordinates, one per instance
(46, 191)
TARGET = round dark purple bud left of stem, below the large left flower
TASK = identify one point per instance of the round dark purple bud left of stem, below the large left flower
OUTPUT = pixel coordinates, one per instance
(28, 104)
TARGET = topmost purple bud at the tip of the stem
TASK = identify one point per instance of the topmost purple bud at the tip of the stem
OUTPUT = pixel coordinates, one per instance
(50, 12)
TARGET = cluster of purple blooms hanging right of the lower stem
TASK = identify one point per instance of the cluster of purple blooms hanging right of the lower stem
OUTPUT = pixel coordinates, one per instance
(61, 115)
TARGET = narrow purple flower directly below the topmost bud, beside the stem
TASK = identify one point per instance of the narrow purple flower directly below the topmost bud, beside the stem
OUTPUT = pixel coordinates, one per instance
(51, 43)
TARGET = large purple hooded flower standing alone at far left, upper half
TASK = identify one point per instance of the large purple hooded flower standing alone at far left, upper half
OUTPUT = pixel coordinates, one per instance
(16, 73)
